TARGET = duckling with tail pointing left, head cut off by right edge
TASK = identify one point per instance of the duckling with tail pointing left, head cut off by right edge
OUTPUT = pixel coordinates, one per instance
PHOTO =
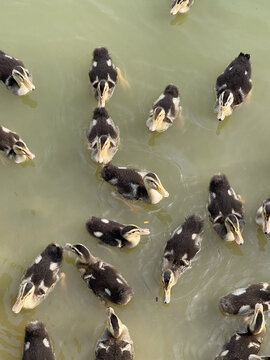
(242, 301)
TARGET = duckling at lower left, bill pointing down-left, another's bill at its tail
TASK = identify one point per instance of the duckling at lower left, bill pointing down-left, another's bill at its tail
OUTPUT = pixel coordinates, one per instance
(40, 278)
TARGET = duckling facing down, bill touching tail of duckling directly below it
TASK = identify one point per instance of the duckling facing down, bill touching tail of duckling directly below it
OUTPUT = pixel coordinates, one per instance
(103, 75)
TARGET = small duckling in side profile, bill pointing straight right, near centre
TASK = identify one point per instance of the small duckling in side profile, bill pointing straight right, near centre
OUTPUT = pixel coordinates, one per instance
(114, 233)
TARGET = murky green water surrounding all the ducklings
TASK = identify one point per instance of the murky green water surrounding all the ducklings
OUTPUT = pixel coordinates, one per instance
(50, 198)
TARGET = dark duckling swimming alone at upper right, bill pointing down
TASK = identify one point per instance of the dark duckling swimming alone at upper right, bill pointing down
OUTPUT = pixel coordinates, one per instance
(233, 85)
